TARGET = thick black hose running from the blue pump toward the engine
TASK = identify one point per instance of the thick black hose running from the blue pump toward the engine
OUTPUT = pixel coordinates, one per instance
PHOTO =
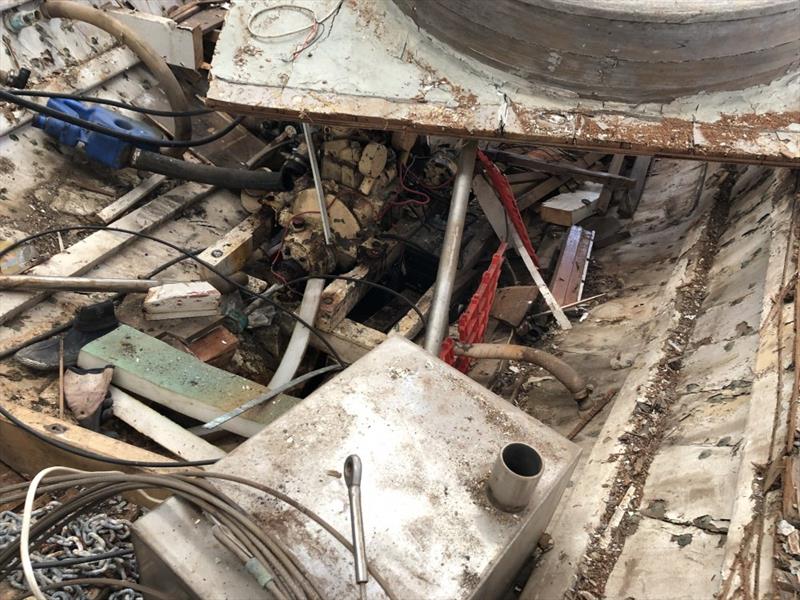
(218, 176)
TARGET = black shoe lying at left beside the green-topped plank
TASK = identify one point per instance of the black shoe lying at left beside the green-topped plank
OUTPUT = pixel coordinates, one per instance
(90, 323)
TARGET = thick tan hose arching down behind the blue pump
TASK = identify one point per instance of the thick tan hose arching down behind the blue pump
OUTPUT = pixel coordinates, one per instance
(66, 9)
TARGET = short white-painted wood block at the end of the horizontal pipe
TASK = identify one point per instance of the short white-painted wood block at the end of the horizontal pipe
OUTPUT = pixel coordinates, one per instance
(181, 300)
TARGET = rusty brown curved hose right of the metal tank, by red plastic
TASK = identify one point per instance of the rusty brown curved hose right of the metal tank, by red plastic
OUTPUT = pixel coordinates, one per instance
(574, 382)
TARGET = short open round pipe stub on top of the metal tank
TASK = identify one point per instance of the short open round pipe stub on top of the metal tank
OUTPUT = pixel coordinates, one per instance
(515, 474)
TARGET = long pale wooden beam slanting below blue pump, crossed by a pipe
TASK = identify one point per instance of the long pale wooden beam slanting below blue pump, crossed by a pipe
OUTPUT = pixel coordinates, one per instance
(92, 250)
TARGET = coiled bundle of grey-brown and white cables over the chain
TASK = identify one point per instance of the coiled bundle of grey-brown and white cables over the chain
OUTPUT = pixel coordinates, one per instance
(274, 565)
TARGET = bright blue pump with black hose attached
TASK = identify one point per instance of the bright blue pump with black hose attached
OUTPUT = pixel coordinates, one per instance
(99, 147)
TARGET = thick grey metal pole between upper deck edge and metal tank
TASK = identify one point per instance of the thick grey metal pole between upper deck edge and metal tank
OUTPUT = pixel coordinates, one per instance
(451, 249)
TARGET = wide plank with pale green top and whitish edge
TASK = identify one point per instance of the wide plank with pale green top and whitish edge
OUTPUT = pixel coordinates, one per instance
(156, 371)
